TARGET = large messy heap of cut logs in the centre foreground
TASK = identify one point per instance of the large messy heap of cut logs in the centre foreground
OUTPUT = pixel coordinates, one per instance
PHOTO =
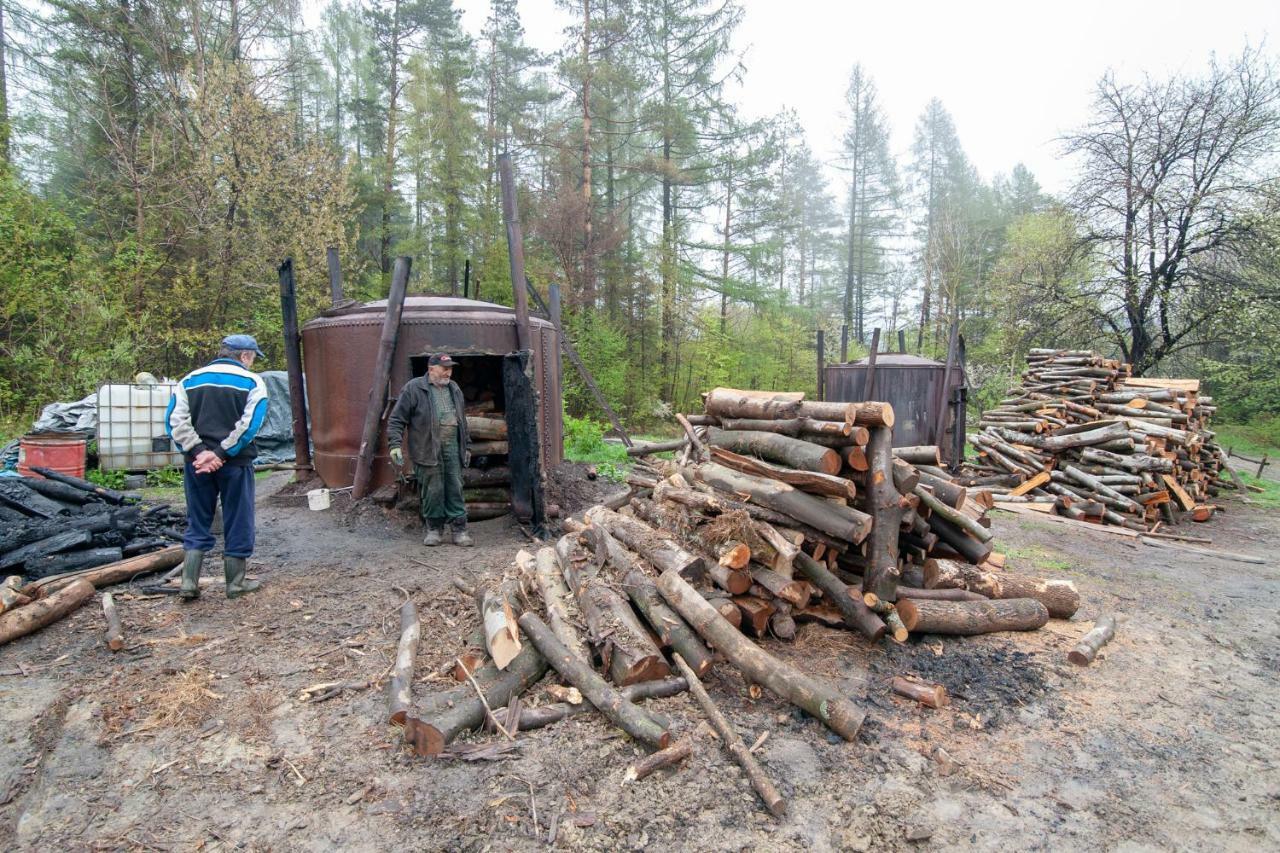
(738, 541)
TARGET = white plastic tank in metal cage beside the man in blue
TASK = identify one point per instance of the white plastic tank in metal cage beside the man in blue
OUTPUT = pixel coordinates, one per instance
(131, 427)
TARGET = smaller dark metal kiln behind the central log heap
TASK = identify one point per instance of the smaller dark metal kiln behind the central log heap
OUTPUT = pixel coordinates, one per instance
(913, 386)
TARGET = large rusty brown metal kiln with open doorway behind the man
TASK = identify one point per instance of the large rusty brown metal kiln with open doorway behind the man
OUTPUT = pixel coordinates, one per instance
(341, 345)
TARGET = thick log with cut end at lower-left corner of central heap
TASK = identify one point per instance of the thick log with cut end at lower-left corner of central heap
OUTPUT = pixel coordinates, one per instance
(449, 714)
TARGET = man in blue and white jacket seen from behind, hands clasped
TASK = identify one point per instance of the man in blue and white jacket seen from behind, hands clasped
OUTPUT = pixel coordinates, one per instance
(214, 414)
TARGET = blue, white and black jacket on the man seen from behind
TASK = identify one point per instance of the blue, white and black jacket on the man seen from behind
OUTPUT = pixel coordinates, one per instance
(220, 408)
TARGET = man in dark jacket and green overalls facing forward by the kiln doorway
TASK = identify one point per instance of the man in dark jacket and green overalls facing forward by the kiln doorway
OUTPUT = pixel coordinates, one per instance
(433, 410)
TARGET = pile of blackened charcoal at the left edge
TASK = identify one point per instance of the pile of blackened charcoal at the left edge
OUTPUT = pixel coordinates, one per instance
(56, 523)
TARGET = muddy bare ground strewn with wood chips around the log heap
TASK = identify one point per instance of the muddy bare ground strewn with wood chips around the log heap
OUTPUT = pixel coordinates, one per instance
(199, 735)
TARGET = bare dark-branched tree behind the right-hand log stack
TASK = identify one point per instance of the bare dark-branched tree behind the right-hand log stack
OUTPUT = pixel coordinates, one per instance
(1172, 172)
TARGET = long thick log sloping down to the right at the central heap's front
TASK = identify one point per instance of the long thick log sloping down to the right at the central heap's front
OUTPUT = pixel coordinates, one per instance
(820, 700)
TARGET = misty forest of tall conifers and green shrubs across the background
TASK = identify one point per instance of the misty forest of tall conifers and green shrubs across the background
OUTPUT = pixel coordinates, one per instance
(161, 158)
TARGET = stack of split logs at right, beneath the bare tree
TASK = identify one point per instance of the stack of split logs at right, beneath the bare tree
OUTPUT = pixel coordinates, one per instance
(1084, 440)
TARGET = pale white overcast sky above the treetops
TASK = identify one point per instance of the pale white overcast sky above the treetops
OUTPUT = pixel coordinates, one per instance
(1014, 76)
